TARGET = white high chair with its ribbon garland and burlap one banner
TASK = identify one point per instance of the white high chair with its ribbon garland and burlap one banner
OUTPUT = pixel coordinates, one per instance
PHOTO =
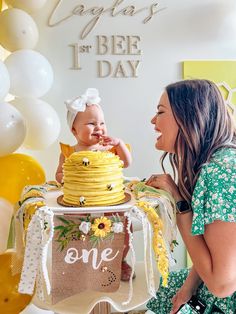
(72, 274)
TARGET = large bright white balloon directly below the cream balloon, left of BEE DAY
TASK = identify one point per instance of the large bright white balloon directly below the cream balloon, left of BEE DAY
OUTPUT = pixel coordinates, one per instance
(31, 74)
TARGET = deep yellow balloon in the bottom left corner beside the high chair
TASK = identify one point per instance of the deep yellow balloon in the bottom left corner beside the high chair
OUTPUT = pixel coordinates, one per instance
(11, 301)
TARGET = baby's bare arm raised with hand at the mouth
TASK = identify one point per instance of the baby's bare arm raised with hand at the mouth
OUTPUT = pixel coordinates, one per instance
(121, 149)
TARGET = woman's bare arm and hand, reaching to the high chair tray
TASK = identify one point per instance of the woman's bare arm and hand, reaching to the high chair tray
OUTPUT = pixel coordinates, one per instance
(214, 253)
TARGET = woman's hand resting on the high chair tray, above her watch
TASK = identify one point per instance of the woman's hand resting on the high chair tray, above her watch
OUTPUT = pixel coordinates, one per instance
(166, 183)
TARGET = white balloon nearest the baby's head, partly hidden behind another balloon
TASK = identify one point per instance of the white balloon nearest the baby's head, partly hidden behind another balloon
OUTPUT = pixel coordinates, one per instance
(42, 122)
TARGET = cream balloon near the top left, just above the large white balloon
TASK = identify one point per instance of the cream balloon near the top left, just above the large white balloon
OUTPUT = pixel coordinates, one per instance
(18, 30)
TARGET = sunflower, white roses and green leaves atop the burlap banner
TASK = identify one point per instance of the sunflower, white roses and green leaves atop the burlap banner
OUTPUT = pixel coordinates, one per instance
(95, 229)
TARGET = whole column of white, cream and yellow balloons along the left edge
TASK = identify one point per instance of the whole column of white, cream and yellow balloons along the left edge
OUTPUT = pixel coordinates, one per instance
(27, 75)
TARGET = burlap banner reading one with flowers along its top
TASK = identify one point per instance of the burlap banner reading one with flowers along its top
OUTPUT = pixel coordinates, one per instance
(86, 254)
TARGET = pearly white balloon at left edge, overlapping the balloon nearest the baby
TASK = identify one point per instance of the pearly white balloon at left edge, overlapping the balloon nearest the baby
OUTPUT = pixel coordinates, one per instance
(12, 129)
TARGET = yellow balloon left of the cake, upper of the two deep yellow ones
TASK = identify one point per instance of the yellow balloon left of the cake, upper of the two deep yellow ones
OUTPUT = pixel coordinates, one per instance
(17, 171)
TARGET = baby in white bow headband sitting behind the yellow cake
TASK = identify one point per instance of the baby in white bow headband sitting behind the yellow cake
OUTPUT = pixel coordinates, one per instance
(86, 121)
